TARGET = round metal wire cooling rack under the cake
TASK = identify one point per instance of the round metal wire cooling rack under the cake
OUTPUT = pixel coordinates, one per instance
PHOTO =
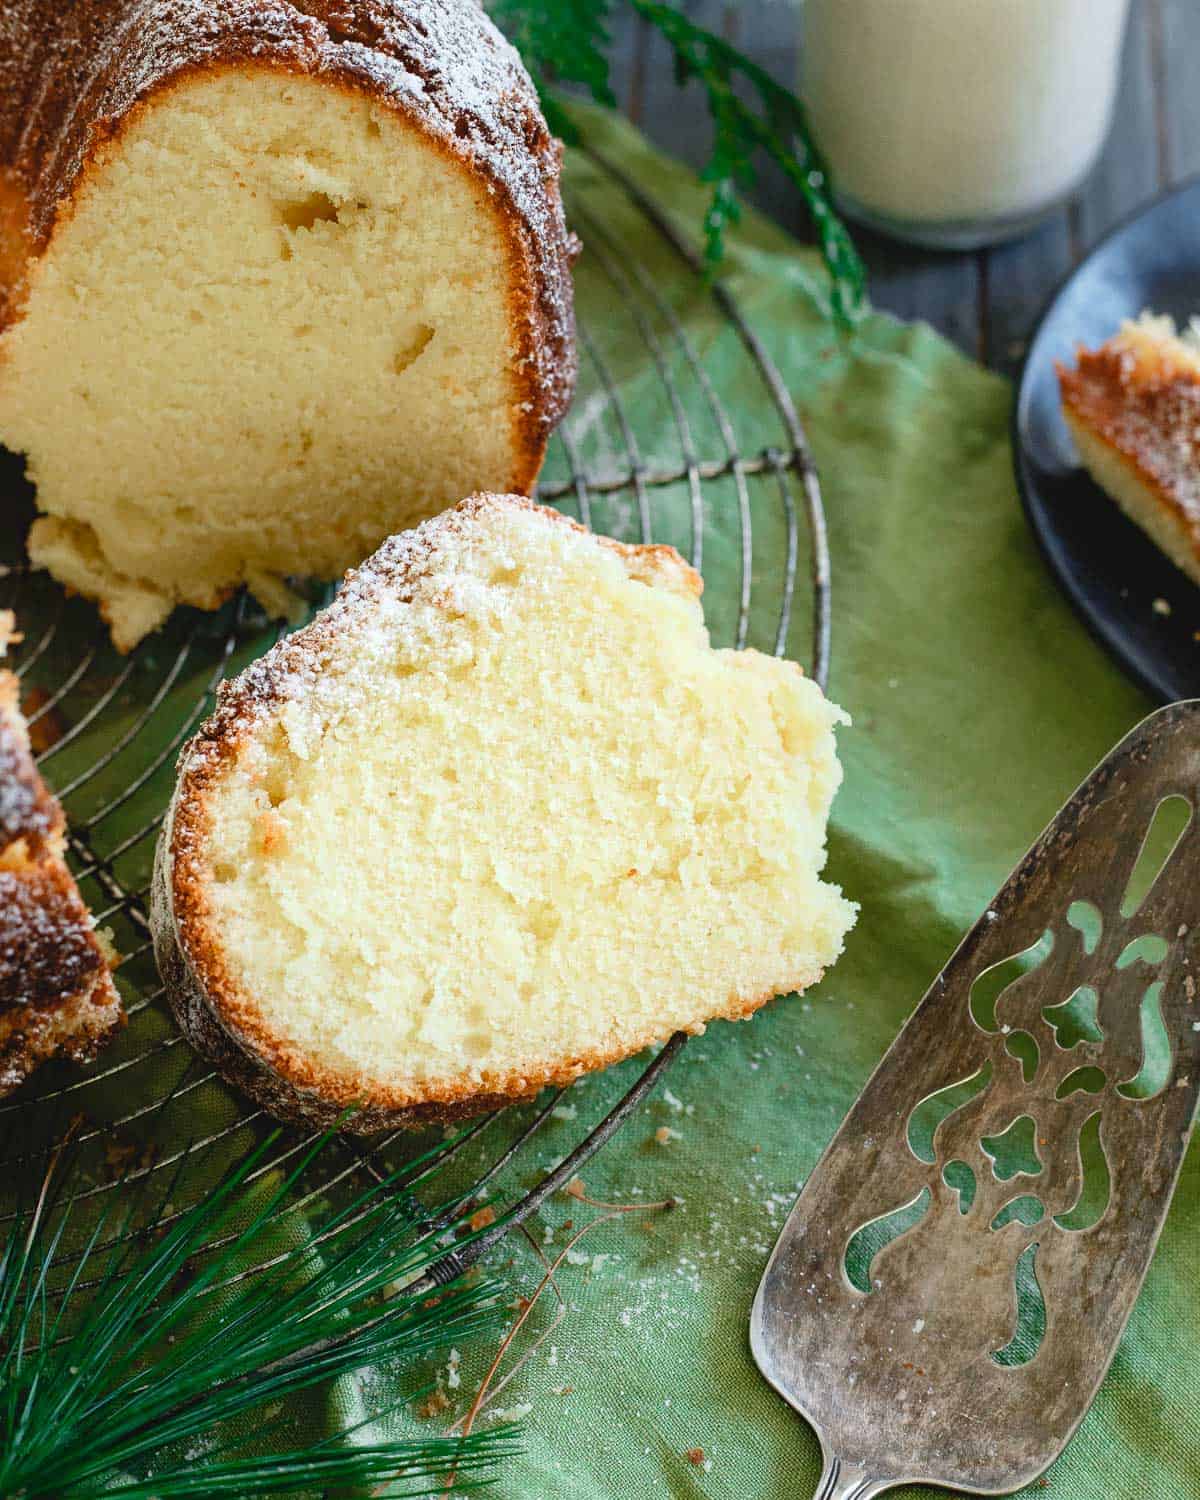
(655, 451)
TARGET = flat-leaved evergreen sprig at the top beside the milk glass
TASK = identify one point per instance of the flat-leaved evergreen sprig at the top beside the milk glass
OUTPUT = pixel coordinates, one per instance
(566, 43)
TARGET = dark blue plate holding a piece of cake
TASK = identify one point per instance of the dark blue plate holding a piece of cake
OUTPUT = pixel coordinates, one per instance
(1114, 575)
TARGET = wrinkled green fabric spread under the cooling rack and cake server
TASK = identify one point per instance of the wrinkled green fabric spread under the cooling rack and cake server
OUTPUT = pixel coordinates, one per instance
(979, 704)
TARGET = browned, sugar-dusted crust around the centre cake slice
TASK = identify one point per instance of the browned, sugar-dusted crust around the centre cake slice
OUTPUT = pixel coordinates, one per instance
(209, 1006)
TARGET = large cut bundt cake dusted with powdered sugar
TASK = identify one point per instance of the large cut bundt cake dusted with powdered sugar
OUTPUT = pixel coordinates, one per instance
(278, 278)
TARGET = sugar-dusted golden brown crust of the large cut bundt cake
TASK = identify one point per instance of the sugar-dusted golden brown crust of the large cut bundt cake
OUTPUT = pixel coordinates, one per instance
(74, 71)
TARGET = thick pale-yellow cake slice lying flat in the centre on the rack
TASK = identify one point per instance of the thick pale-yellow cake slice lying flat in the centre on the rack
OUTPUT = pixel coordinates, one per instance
(499, 817)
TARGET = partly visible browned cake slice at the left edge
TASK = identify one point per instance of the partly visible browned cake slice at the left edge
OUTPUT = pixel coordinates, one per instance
(56, 989)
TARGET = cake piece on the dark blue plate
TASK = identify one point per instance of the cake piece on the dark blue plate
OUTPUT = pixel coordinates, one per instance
(1133, 407)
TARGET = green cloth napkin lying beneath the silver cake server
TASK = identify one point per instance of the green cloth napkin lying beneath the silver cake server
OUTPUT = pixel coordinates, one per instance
(979, 704)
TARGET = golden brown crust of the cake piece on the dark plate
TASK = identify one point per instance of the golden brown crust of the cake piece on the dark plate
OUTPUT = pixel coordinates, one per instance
(1144, 404)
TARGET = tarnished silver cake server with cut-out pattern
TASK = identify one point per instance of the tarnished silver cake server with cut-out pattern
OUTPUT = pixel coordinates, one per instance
(955, 1279)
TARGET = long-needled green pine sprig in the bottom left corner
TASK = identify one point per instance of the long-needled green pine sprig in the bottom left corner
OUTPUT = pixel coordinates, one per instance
(172, 1342)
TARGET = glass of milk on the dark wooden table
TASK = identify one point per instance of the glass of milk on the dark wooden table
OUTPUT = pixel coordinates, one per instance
(961, 122)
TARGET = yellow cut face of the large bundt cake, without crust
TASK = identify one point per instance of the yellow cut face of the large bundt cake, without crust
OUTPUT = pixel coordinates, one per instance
(272, 329)
